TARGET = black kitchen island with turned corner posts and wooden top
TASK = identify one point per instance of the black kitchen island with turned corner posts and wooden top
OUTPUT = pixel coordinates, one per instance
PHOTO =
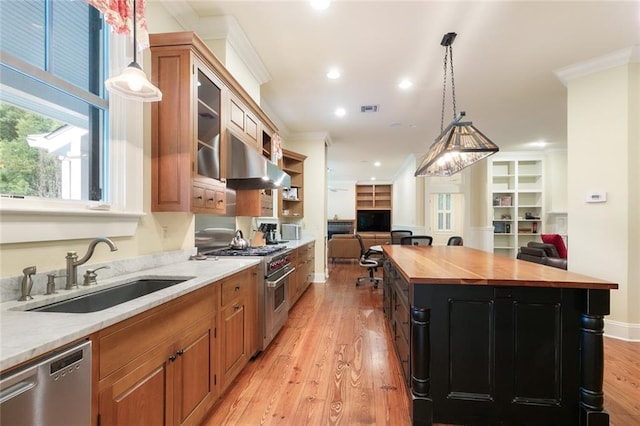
(487, 339)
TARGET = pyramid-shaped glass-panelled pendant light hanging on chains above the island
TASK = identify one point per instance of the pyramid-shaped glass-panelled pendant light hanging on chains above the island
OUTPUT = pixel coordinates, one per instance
(460, 144)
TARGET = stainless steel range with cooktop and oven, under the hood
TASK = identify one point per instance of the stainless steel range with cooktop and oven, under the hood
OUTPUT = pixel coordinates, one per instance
(273, 302)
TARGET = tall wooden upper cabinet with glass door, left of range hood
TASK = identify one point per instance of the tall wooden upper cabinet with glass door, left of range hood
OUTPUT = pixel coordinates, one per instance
(187, 156)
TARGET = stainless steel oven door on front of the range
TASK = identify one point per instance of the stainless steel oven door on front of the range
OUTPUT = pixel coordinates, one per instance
(276, 304)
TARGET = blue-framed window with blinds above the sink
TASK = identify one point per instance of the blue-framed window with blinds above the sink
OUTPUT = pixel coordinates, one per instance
(53, 111)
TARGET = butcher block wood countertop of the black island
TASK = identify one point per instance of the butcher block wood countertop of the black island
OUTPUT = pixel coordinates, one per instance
(464, 265)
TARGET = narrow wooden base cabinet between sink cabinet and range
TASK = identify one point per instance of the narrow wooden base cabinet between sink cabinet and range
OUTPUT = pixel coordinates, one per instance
(238, 323)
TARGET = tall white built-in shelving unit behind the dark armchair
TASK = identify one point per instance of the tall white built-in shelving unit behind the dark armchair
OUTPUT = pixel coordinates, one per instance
(517, 202)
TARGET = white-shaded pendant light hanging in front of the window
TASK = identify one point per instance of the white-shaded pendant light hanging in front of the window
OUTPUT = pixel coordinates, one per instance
(132, 83)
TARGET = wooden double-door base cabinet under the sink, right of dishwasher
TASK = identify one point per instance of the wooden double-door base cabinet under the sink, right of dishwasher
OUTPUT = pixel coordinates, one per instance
(159, 367)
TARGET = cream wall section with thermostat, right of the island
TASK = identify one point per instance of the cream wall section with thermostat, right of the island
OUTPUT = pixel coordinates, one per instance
(603, 156)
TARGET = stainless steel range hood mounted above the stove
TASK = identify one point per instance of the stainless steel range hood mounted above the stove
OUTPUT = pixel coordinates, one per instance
(246, 169)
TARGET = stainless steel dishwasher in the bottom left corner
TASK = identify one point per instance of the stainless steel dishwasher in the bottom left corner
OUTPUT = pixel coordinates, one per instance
(53, 390)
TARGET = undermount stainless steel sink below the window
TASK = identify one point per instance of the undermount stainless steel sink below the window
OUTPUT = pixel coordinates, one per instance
(109, 297)
